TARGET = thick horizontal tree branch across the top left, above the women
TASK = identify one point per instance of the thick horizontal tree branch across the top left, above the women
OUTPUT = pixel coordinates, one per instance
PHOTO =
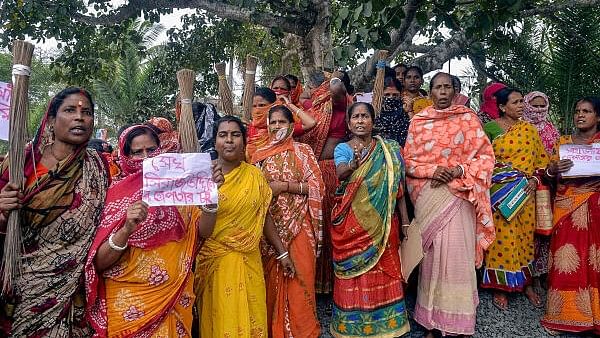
(294, 25)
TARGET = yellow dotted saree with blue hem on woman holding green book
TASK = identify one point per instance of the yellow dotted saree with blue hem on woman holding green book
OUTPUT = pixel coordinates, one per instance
(509, 261)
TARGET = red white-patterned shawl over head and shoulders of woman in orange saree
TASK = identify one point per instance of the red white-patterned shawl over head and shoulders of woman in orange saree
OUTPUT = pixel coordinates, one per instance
(162, 225)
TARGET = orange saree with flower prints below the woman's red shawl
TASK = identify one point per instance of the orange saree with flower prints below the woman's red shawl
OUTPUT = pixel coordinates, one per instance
(144, 283)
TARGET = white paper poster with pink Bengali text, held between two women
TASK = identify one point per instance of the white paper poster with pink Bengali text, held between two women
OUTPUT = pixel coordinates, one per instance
(178, 179)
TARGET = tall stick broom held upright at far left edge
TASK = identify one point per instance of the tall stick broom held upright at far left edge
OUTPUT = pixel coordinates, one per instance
(19, 108)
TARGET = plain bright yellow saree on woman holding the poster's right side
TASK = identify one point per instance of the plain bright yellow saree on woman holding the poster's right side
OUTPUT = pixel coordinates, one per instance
(229, 275)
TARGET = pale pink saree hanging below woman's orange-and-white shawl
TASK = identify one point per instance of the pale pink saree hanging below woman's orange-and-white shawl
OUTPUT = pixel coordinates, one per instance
(447, 296)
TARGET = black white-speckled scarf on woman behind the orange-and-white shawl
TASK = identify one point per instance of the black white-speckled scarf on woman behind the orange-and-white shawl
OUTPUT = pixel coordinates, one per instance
(392, 123)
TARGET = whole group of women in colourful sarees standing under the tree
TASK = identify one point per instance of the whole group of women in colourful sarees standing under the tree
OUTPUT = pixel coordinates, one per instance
(313, 196)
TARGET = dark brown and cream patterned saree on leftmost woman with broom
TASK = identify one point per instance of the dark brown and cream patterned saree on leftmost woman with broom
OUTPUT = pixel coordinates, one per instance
(58, 226)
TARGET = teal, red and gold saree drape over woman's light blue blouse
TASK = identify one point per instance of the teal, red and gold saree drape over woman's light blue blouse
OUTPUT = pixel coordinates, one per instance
(364, 212)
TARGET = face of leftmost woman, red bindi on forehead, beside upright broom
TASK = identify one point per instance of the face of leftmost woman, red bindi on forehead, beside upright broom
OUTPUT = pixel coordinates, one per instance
(74, 121)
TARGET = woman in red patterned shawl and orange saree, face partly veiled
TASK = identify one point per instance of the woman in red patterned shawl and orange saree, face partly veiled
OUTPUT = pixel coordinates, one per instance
(139, 268)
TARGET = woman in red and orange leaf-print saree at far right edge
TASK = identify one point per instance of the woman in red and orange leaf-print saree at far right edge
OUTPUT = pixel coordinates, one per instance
(574, 274)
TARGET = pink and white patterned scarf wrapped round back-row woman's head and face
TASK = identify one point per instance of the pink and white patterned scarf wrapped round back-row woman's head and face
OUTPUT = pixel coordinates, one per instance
(539, 118)
